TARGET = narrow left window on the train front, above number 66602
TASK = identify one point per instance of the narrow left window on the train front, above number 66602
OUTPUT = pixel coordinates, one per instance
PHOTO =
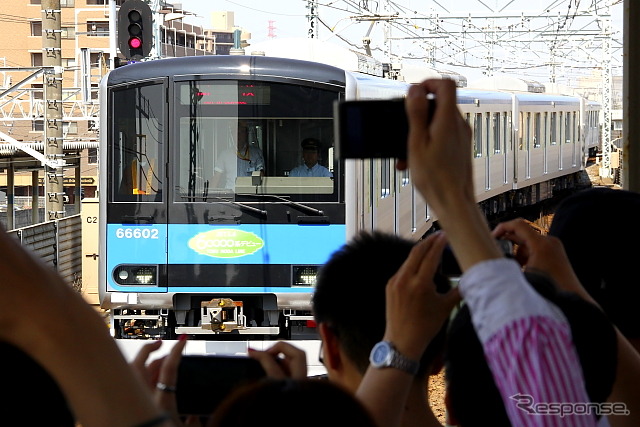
(138, 160)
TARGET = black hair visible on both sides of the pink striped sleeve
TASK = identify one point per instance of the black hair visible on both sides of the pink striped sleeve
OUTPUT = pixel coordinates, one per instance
(470, 385)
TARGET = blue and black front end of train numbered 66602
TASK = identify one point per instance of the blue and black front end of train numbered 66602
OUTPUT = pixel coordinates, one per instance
(214, 217)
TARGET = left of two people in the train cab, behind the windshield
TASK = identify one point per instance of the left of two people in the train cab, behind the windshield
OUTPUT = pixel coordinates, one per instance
(242, 160)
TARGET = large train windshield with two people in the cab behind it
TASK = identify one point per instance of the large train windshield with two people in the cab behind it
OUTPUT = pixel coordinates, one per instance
(248, 137)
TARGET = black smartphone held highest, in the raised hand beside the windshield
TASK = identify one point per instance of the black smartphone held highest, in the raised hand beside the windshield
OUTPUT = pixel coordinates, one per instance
(371, 129)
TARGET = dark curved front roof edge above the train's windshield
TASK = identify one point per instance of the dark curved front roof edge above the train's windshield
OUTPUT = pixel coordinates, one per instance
(238, 66)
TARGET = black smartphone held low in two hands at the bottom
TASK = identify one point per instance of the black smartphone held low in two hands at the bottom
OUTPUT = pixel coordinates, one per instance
(205, 380)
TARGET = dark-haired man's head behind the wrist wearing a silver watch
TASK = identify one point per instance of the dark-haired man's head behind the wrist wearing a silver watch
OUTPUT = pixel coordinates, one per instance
(349, 304)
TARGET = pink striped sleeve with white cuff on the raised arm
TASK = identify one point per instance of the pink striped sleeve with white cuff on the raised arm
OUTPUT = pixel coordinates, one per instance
(528, 346)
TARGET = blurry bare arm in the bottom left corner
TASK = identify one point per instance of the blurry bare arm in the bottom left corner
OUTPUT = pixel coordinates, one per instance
(71, 341)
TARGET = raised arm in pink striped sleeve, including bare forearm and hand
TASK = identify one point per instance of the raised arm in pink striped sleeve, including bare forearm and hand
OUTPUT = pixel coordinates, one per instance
(519, 330)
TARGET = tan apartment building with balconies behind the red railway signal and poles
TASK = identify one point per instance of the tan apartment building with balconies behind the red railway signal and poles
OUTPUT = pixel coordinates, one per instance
(86, 52)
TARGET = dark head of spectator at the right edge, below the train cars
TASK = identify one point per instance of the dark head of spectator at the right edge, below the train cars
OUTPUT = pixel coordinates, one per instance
(600, 256)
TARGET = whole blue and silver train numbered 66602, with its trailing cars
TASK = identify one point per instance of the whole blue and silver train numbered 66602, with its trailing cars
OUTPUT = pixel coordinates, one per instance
(181, 254)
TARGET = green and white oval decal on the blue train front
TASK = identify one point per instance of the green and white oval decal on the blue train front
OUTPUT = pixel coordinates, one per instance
(226, 243)
